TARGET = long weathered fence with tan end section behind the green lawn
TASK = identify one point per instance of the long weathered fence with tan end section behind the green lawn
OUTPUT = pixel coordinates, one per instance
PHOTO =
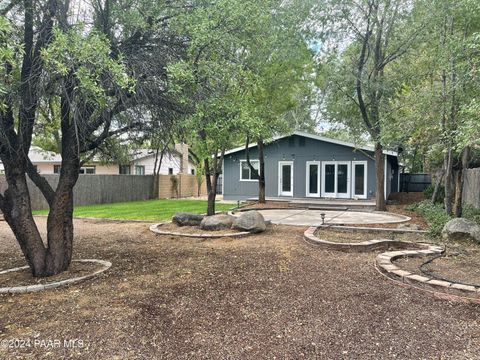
(105, 189)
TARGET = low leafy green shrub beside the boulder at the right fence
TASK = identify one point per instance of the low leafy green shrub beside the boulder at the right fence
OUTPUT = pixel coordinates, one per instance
(436, 216)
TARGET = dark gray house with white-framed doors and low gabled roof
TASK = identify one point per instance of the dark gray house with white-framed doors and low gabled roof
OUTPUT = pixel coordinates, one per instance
(303, 165)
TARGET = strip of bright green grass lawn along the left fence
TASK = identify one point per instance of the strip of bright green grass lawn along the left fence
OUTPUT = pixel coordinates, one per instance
(161, 209)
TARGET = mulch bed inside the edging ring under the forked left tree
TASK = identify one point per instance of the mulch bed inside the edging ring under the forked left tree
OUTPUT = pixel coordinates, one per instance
(24, 277)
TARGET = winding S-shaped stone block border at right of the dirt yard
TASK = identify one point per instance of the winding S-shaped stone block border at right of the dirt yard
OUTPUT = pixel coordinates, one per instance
(384, 261)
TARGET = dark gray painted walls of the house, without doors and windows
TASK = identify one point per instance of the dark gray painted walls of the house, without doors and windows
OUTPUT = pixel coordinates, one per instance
(286, 149)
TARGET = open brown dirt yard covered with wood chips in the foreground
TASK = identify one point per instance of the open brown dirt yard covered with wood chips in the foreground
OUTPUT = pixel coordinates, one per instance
(265, 296)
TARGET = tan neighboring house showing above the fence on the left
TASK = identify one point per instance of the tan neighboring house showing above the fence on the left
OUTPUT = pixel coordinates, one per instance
(173, 162)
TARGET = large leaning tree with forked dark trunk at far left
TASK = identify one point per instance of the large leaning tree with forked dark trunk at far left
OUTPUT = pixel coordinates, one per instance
(96, 76)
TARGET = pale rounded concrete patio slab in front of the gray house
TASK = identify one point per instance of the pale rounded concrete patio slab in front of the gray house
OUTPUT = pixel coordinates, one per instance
(305, 217)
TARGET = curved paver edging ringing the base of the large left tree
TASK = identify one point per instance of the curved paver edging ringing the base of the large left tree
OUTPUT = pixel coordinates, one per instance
(55, 284)
